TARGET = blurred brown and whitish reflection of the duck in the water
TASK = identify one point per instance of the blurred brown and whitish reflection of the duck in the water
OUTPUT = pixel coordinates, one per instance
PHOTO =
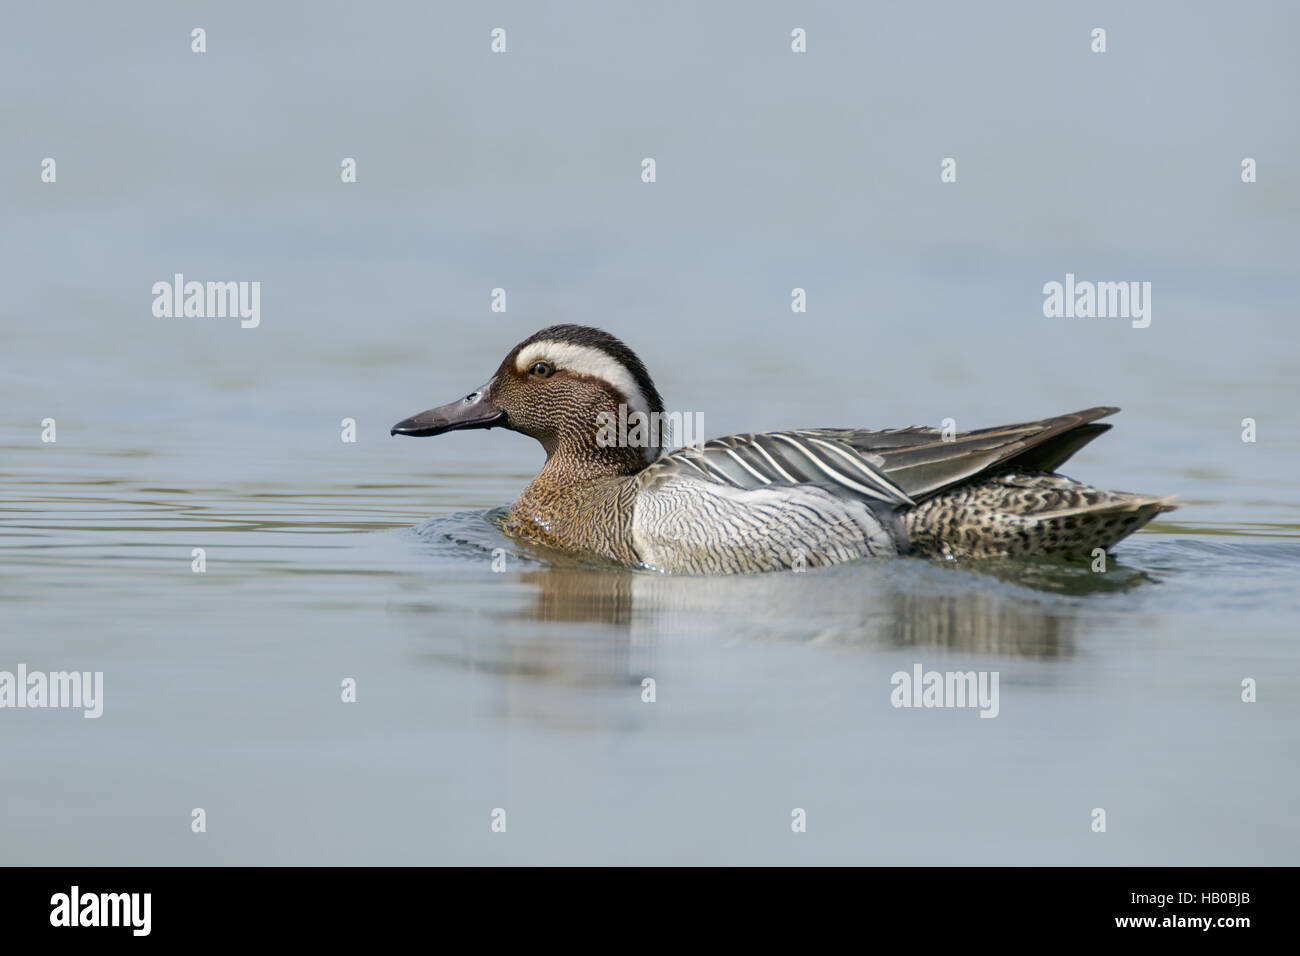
(577, 625)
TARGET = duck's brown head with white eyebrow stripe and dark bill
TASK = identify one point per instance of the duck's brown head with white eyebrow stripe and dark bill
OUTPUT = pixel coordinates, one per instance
(560, 387)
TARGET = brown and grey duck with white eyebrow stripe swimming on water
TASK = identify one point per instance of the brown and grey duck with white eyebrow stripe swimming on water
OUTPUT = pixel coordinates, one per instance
(786, 500)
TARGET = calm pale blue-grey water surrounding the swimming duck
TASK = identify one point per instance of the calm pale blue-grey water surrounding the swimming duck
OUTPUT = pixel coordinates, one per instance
(522, 690)
